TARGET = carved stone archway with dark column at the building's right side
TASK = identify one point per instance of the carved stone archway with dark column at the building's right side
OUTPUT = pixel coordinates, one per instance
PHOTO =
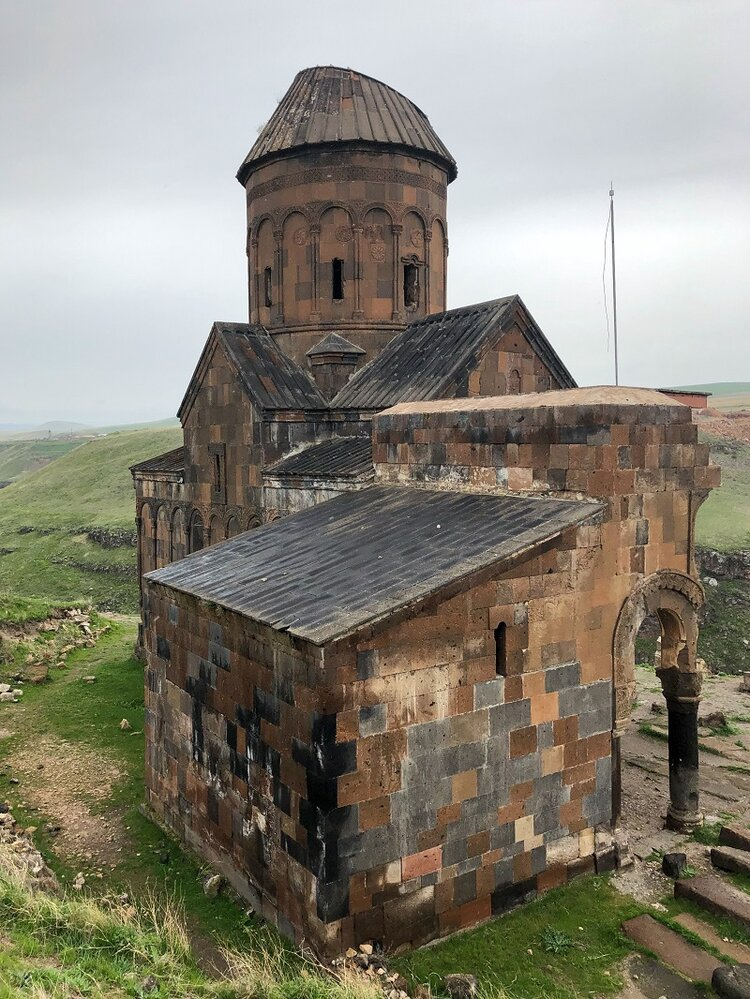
(675, 599)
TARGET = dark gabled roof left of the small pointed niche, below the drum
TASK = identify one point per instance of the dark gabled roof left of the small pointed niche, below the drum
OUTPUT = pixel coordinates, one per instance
(271, 379)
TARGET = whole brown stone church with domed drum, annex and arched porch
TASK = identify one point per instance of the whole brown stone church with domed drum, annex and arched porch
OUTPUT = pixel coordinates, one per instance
(392, 580)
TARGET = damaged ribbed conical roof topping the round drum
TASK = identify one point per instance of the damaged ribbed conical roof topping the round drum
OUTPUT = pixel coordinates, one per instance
(327, 105)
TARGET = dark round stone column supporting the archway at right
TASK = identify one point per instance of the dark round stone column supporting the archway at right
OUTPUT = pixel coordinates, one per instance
(682, 693)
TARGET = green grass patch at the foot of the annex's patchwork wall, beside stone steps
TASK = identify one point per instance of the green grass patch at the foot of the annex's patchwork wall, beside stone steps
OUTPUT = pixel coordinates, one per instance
(588, 912)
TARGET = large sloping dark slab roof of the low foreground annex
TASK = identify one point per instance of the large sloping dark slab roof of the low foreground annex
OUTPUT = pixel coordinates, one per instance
(342, 565)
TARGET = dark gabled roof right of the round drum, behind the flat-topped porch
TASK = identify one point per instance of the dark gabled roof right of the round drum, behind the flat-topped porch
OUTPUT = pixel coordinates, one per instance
(432, 358)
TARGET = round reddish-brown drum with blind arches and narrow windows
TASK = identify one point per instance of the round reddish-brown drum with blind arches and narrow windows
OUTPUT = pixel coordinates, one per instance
(375, 210)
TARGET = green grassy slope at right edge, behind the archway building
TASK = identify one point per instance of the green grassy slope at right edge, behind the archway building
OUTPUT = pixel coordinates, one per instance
(723, 521)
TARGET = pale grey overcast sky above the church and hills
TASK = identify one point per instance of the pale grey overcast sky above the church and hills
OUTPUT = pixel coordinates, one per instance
(123, 123)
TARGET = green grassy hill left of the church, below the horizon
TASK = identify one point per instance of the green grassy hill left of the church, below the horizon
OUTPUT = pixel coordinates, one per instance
(45, 550)
